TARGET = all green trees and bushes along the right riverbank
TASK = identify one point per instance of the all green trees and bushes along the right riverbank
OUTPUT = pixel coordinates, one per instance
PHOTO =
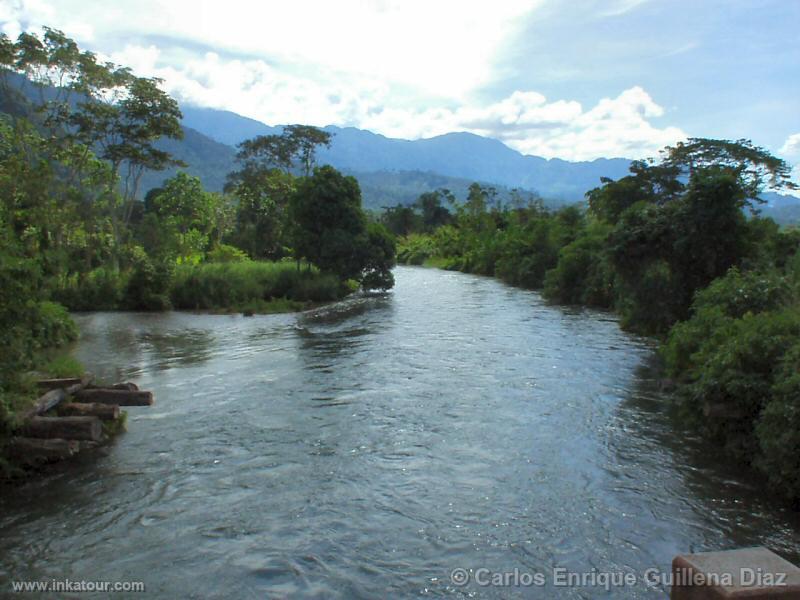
(670, 248)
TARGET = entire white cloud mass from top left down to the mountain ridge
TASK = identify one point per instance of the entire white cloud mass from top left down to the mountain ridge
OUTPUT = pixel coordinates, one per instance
(405, 69)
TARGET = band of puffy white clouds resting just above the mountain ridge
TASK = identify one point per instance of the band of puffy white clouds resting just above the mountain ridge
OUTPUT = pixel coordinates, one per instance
(525, 120)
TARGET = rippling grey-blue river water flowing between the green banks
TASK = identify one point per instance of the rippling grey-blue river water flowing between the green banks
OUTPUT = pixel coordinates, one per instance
(368, 449)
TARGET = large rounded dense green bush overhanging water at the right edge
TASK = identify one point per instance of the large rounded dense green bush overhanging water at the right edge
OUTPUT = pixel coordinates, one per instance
(738, 358)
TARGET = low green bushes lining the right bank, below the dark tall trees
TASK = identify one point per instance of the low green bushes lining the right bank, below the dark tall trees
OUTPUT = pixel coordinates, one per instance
(732, 359)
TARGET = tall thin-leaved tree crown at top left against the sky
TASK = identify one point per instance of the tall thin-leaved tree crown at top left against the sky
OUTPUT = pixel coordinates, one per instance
(88, 107)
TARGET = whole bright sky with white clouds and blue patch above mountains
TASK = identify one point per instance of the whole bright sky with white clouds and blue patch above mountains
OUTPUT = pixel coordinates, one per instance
(573, 79)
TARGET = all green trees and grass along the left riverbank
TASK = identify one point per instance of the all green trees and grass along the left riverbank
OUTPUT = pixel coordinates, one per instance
(76, 137)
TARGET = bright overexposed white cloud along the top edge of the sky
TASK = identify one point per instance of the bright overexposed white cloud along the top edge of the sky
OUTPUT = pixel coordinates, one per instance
(444, 48)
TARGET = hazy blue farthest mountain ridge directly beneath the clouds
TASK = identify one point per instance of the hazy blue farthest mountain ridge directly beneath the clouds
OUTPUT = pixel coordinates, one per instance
(460, 155)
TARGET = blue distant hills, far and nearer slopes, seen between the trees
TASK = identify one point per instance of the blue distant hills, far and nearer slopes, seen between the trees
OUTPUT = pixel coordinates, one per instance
(393, 171)
